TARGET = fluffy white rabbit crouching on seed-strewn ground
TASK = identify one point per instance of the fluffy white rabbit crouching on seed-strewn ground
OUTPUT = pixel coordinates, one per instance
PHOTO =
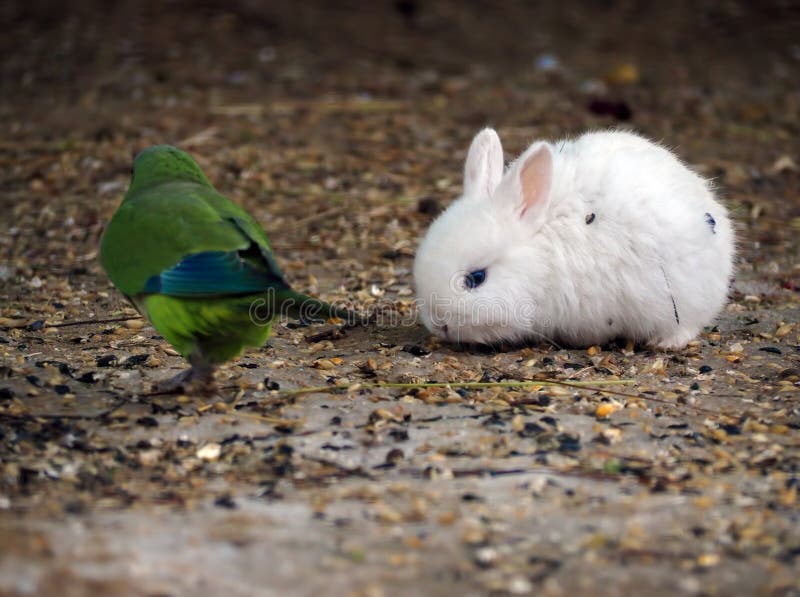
(580, 241)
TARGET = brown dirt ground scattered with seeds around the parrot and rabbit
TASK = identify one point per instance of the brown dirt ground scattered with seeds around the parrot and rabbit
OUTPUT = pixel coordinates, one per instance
(343, 130)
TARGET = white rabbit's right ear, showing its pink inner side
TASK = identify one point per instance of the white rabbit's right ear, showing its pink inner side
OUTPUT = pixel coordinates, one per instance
(526, 188)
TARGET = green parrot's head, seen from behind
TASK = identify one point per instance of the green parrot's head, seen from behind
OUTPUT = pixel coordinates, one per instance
(163, 163)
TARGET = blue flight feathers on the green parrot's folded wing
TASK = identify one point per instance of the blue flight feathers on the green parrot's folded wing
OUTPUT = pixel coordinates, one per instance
(212, 273)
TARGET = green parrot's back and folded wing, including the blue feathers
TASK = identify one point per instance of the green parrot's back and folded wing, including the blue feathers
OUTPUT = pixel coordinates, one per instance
(185, 239)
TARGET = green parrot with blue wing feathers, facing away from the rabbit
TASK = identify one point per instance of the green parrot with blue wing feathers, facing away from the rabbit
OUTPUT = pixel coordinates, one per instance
(198, 267)
